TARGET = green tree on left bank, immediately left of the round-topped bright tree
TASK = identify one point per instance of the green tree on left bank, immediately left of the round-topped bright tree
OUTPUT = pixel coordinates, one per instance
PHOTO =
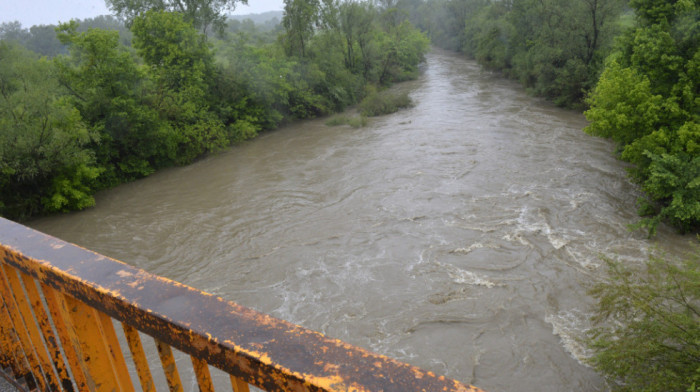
(108, 88)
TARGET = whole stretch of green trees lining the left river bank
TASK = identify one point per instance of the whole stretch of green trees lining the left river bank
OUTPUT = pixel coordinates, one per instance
(109, 104)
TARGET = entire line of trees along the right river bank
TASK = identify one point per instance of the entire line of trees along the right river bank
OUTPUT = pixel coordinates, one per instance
(635, 65)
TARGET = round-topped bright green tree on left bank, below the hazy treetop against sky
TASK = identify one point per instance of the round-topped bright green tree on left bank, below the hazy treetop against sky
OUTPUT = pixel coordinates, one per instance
(181, 69)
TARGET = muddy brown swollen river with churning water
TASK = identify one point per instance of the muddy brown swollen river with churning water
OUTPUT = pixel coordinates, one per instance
(459, 235)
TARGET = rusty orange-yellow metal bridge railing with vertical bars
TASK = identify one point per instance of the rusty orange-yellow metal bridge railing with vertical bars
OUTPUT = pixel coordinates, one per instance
(57, 332)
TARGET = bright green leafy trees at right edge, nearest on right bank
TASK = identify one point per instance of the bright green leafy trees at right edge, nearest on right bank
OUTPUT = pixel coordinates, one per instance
(648, 101)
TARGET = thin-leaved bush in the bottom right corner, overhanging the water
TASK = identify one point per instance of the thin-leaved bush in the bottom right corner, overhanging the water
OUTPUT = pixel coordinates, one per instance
(647, 336)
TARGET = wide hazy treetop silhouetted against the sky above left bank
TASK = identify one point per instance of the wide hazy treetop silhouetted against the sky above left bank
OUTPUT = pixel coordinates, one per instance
(202, 14)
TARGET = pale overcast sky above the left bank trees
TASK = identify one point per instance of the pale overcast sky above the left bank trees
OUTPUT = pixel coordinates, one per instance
(34, 12)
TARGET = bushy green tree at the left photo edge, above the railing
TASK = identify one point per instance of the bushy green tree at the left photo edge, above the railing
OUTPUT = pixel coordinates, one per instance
(44, 163)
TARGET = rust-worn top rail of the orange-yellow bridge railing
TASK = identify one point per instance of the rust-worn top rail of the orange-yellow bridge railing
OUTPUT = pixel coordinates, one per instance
(256, 347)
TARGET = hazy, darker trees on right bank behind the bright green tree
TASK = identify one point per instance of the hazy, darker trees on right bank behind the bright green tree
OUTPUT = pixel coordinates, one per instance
(555, 48)
